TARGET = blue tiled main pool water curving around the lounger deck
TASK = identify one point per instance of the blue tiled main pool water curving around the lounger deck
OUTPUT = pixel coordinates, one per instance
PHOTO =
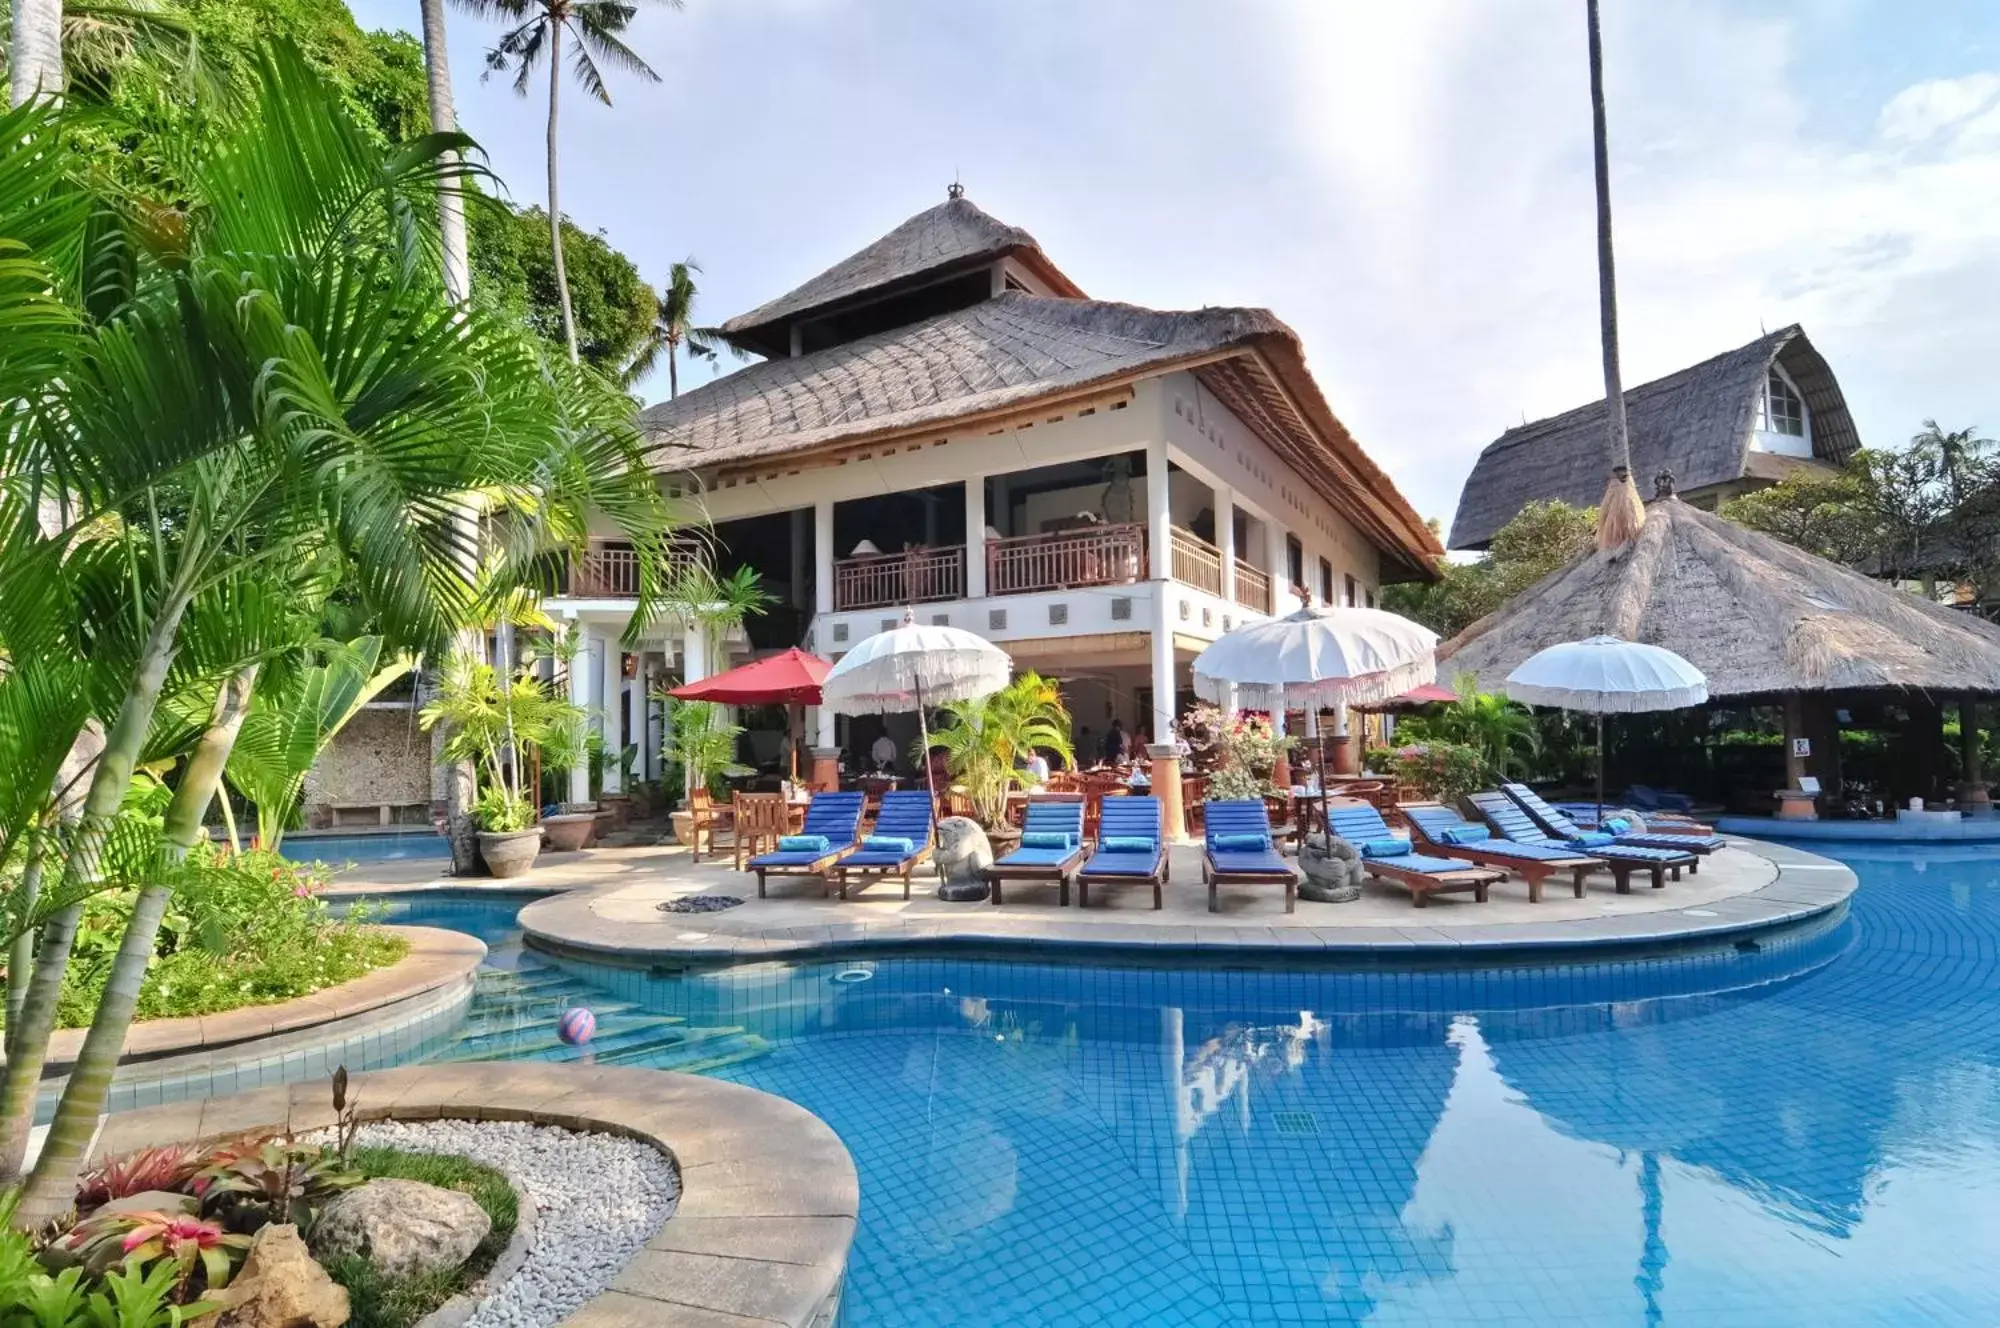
(1807, 1133)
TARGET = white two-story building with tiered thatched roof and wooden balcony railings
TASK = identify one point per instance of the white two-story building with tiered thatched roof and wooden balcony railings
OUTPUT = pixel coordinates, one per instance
(945, 423)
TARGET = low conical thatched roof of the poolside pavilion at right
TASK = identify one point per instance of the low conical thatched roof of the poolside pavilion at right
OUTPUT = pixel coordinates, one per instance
(1753, 613)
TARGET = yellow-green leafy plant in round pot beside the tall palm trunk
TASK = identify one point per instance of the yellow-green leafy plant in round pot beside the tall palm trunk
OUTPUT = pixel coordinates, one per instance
(489, 717)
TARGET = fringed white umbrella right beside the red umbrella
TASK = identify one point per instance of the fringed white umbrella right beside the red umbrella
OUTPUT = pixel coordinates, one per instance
(915, 667)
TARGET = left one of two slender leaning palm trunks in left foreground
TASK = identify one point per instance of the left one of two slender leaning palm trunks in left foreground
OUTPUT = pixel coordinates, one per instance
(123, 745)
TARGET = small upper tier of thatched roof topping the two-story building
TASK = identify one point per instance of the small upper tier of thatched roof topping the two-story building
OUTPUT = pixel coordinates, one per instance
(939, 241)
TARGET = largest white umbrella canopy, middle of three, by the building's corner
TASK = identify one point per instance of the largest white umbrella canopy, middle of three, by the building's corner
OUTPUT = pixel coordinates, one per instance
(1319, 659)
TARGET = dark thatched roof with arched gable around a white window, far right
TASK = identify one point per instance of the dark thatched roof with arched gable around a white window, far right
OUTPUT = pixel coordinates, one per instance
(1695, 423)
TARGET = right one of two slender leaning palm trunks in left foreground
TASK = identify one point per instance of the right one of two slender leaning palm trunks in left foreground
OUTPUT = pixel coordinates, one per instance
(91, 1077)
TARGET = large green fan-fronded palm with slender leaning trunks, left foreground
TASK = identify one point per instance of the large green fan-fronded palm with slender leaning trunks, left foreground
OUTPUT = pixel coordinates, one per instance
(207, 405)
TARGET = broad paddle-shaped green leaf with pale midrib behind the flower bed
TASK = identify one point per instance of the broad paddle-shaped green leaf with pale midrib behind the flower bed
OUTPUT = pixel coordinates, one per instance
(287, 731)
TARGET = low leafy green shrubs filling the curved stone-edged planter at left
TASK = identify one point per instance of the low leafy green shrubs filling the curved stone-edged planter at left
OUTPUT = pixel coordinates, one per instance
(251, 933)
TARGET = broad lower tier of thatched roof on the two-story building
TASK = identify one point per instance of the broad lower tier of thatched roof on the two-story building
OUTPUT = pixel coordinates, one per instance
(1013, 351)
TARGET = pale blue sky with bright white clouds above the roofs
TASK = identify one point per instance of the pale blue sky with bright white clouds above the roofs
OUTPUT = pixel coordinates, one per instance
(1407, 183)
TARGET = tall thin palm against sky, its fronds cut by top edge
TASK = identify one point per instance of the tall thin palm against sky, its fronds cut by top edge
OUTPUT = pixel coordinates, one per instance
(537, 33)
